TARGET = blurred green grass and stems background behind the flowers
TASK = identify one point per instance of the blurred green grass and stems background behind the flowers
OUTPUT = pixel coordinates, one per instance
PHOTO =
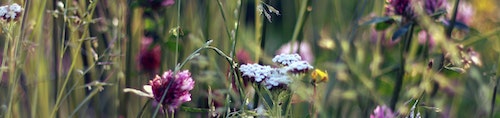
(94, 46)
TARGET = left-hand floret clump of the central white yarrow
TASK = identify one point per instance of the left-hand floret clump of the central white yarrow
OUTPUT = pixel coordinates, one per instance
(255, 72)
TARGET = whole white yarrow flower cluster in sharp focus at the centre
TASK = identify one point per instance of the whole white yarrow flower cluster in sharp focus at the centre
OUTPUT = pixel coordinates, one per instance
(276, 77)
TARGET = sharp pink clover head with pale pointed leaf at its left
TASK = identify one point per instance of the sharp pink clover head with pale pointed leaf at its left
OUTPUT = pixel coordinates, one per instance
(177, 91)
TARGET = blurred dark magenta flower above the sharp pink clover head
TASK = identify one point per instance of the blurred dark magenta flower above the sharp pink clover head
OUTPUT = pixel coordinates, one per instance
(149, 58)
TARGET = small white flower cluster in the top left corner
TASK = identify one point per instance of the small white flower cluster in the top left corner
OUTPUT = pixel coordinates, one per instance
(10, 12)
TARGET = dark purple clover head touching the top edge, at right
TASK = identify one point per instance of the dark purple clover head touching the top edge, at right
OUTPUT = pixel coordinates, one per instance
(399, 7)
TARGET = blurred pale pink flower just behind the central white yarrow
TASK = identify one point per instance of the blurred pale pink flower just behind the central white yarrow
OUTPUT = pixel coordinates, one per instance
(304, 52)
